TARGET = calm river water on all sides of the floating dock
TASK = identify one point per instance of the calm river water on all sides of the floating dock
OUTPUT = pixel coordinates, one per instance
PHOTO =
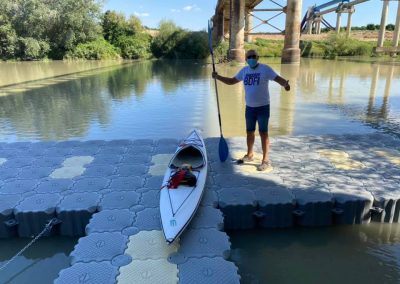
(157, 99)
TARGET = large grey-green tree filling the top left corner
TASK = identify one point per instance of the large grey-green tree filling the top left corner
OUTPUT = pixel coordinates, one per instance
(63, 24)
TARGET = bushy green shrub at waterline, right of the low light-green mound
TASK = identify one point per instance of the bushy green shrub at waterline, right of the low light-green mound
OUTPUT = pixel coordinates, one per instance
(134, 47)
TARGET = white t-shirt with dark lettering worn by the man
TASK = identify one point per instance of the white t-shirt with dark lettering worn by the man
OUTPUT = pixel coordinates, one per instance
(256, 84)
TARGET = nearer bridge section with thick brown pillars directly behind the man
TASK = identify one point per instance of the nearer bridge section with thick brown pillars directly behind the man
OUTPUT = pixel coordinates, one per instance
(233, 20)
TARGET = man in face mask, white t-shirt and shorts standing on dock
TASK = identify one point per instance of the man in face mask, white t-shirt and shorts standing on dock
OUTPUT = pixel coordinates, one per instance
(255, 78)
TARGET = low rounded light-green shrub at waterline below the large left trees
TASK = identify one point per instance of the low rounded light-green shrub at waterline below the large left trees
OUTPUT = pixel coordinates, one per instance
(94, 50)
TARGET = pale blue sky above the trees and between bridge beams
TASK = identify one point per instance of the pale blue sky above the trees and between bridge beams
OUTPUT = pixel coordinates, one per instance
(194, 14)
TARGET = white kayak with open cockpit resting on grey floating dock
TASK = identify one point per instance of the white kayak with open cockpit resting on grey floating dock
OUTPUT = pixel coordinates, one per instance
(179, 205)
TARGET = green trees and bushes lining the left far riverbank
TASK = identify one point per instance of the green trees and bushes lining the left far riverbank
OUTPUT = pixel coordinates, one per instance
(69, 29)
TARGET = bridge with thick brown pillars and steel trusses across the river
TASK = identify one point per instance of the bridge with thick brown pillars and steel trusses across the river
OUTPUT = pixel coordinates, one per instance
(233, 20)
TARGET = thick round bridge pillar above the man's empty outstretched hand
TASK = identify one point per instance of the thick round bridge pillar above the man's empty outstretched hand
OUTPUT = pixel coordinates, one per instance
(291, 49)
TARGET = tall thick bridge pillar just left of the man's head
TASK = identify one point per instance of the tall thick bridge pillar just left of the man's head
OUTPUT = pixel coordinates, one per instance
(236, 40)
